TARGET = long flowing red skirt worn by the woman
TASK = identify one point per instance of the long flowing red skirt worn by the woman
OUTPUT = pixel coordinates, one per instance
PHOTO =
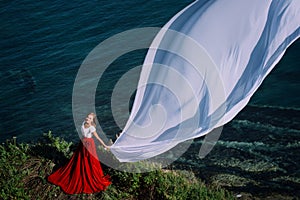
(83, 173)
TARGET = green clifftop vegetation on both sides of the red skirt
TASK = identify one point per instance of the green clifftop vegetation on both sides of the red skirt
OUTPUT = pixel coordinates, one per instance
(24, 169)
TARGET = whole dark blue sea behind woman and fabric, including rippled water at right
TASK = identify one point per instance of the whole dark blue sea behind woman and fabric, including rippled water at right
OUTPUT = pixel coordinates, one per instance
(43, 44)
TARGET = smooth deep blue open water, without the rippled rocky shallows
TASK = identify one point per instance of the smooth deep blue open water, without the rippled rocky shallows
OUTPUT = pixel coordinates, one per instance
(44, 43)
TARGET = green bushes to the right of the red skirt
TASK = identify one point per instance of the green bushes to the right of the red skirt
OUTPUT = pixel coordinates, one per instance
(163, 184)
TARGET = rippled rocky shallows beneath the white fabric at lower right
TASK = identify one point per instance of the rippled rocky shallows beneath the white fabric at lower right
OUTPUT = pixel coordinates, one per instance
(256, 157)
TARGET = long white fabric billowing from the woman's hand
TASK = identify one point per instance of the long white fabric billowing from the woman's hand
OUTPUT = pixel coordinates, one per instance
(238, 42)
